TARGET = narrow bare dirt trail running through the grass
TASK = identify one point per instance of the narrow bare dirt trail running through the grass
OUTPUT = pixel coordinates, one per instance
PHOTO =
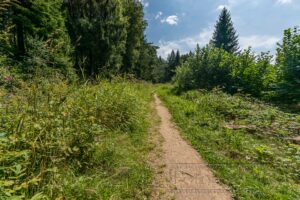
(184, 168)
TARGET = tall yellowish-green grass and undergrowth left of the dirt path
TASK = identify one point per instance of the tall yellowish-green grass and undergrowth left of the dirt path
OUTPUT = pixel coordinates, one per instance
(62, 141)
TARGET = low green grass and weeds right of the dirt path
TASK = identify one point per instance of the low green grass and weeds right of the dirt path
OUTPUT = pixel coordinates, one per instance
(256, 162)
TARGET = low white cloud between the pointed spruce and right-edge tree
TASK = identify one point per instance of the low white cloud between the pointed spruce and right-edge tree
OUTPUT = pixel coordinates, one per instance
(259, 42)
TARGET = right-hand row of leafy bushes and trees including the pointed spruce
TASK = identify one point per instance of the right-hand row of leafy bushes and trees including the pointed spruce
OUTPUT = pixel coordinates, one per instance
(222, 64)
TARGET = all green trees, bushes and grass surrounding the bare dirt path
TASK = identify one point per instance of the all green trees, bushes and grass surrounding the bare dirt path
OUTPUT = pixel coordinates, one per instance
(77, 79)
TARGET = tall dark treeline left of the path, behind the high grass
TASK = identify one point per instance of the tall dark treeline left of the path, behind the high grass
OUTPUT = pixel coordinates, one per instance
(93, 38)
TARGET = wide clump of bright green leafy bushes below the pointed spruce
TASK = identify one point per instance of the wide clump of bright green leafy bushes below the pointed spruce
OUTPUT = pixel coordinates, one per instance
(211, 67)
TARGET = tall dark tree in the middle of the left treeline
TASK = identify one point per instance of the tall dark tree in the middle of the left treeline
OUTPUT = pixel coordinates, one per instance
(98, 31)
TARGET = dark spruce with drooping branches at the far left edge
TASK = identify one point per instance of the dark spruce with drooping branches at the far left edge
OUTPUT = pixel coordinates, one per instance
(28, 24)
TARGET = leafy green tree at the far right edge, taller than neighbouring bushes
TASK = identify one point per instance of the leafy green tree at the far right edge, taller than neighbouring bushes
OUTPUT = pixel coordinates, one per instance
(288, 60)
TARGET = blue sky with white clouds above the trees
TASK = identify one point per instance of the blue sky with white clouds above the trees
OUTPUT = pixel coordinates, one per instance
(181, 24)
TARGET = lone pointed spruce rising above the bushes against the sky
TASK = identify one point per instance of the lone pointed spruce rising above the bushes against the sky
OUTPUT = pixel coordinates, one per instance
(225, 36)
